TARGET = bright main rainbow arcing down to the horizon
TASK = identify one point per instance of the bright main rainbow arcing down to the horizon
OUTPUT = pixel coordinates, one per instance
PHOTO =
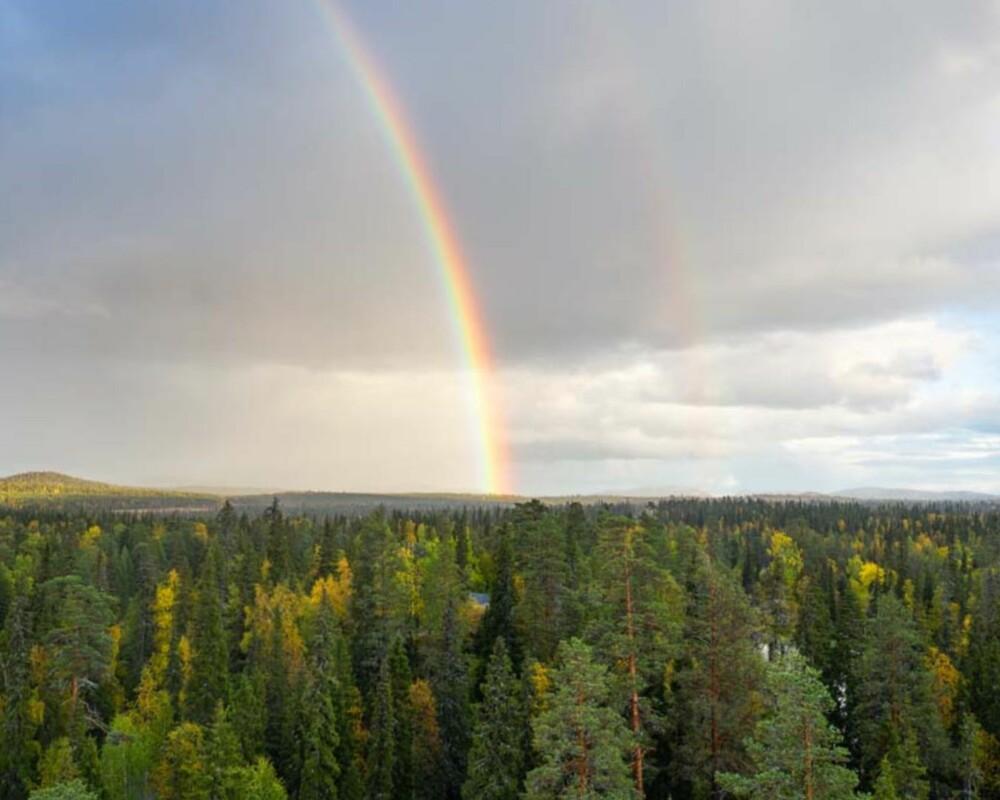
(466, 314)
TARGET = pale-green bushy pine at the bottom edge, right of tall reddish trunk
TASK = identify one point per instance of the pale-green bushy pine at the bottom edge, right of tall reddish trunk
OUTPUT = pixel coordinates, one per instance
(795, 752)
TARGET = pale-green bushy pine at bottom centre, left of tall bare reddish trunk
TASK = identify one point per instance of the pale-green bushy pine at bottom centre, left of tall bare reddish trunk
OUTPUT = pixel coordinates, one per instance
(582, 742)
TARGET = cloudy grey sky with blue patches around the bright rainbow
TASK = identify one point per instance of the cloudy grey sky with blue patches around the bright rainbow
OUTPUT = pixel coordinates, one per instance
(728, 246)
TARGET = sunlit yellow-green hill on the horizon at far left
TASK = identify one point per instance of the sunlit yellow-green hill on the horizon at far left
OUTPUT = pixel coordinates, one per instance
(59, 490)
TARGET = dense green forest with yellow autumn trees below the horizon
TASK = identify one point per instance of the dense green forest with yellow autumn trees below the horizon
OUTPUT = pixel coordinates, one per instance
(689, 649)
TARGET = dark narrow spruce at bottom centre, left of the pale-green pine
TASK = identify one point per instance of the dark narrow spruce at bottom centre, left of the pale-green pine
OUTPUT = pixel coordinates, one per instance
(496, 757)
